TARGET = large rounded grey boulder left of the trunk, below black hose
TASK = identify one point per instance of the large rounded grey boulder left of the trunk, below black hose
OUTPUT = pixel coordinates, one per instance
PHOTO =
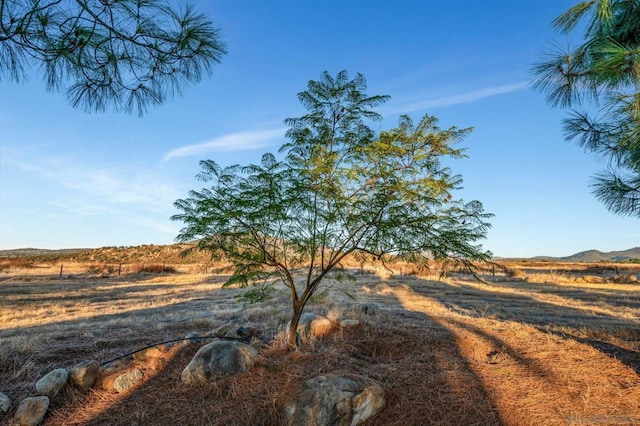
(219, 359)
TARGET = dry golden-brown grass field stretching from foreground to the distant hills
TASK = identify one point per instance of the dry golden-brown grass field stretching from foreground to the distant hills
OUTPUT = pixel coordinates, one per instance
(534, 344)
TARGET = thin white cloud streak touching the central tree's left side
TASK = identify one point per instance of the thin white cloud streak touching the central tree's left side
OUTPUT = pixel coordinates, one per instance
(241, 141)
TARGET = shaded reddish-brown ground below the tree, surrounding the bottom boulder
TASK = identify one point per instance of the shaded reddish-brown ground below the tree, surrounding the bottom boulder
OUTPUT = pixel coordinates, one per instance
(427, 381)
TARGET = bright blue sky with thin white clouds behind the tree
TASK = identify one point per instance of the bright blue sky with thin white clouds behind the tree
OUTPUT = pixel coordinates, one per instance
(71, 179)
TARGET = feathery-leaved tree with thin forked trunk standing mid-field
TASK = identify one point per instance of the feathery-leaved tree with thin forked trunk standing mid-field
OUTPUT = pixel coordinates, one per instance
(339, 190)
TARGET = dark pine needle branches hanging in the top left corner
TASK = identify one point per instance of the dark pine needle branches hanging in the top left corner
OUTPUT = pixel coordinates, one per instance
(127, 53)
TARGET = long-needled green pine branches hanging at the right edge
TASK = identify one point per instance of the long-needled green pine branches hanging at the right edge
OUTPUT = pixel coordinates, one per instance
(603, 73)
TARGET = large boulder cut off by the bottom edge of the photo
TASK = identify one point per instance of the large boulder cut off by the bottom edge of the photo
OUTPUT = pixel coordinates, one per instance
(334, 400)
